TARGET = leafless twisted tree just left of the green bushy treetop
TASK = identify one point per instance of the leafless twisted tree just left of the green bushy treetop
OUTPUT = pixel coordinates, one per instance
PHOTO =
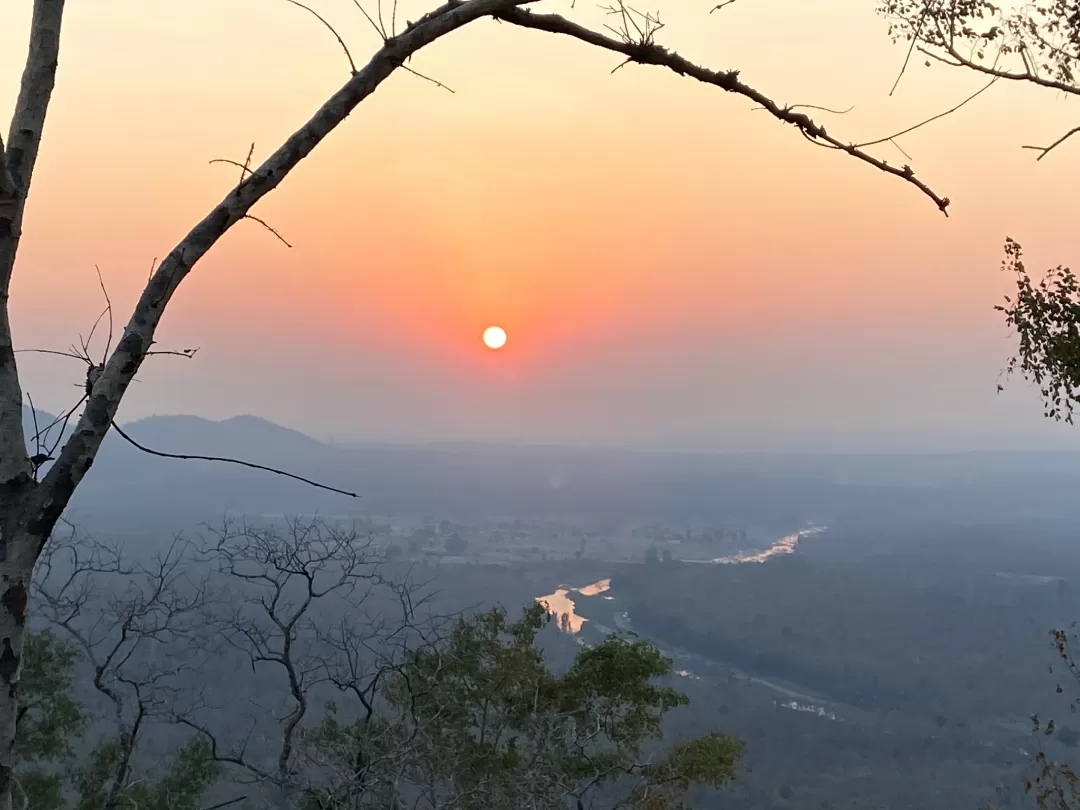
(312, 609)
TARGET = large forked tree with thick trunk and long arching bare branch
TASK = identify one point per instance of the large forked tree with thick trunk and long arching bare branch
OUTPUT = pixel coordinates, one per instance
(30, 508)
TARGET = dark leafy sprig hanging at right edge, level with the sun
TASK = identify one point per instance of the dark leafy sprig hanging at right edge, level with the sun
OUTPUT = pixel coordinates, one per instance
(1046, 317)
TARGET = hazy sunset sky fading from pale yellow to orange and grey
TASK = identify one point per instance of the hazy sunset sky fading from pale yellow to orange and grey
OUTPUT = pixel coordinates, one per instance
(673, 268)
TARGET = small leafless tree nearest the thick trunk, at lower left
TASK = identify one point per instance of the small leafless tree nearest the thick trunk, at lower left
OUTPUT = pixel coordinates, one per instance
(138, 627)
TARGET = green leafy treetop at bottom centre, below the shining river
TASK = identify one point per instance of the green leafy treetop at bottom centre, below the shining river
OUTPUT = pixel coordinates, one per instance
(480, 721)
